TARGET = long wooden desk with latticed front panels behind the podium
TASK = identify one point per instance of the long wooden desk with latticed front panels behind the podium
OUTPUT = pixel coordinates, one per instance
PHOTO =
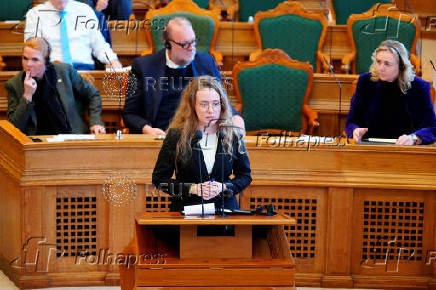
(349, 203)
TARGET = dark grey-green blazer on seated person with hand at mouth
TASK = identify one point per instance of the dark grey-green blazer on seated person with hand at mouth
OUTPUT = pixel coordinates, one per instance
(76, 95)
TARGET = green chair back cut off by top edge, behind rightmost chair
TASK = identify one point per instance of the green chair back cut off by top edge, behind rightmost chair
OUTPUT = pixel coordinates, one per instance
(344, 8)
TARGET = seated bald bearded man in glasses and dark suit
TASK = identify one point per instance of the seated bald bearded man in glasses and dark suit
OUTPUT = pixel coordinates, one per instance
(161, 77)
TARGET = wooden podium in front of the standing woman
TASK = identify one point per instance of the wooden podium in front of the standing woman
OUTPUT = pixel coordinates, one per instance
(172, 250)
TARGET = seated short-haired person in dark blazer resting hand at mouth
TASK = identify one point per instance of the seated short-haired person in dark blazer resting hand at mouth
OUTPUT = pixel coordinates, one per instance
(49, 99)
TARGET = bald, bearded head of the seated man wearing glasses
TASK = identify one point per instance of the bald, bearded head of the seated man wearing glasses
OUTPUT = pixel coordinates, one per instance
(182, 40)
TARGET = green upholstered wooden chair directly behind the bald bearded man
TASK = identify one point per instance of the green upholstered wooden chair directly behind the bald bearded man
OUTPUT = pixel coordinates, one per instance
(204, 22)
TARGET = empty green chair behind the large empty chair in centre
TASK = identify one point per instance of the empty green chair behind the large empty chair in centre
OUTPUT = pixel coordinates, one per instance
(293, 29)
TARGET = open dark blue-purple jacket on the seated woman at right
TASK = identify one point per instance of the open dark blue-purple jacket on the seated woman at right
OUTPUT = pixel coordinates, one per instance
(418, 103)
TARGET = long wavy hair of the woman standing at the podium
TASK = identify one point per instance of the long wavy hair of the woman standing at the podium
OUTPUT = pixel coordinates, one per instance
(186, 118)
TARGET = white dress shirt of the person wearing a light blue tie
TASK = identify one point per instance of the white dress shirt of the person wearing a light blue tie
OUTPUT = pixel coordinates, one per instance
(82, 26)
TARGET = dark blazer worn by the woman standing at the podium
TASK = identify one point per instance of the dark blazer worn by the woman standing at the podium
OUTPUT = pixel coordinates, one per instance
(189, 172)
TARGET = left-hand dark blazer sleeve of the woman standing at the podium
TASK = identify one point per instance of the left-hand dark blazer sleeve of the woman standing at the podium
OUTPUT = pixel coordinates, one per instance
(165, 167)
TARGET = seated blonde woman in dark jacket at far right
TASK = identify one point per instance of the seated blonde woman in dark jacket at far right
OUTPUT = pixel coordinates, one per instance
(391, 102)
